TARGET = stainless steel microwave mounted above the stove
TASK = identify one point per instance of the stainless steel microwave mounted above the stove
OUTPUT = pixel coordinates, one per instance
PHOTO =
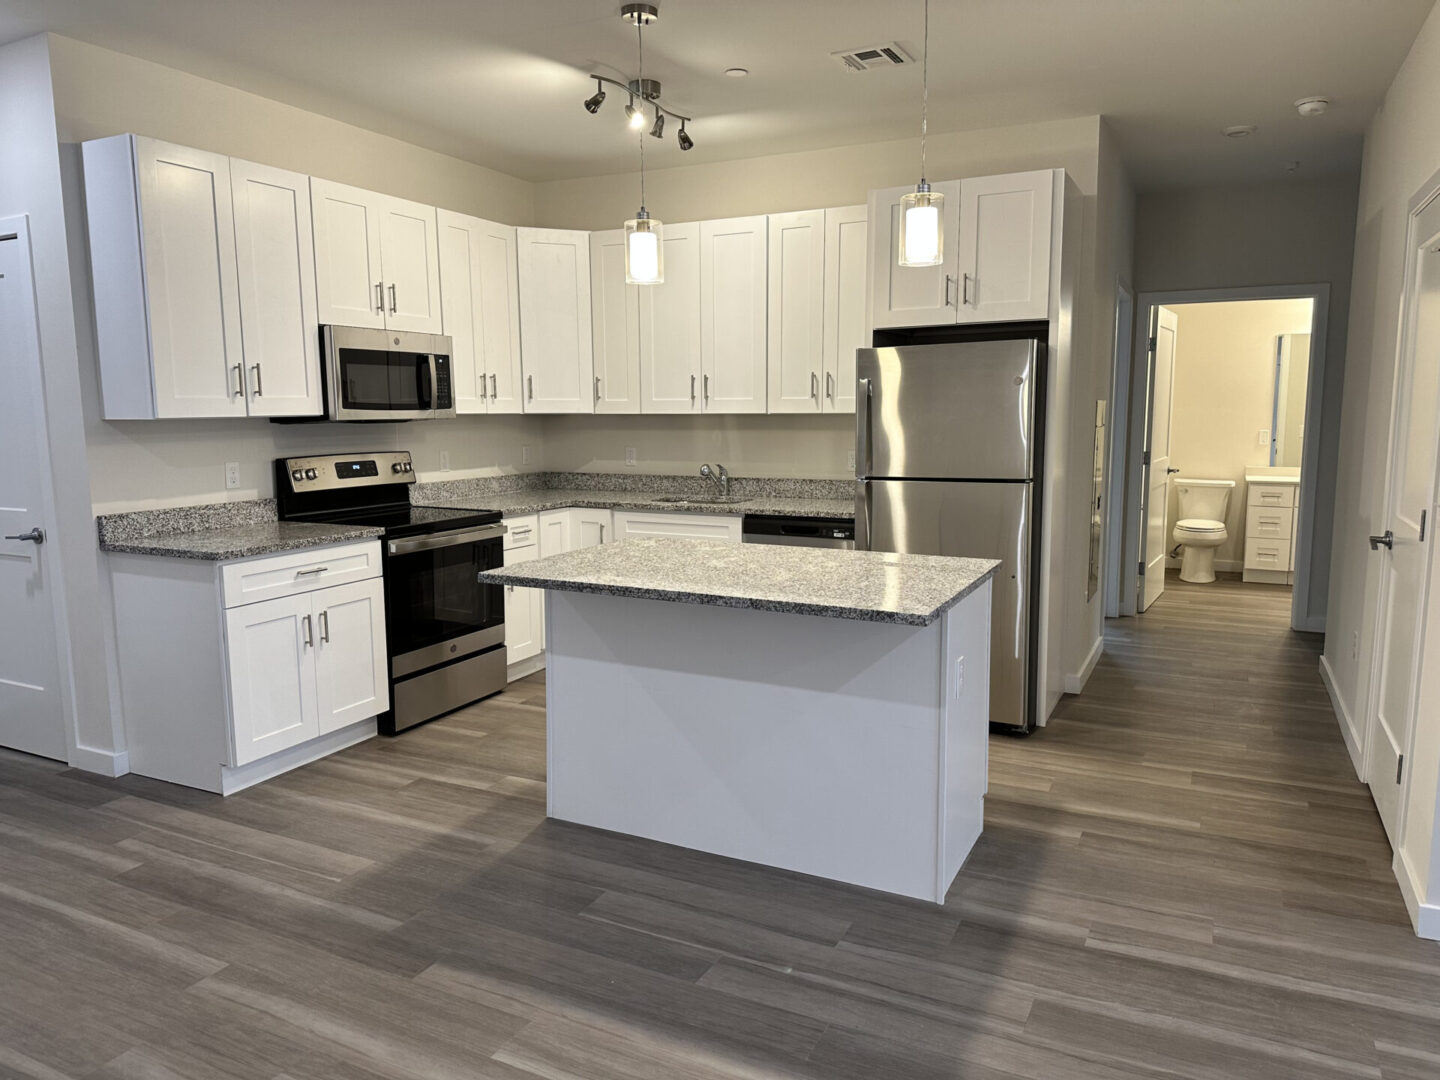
(387, 375)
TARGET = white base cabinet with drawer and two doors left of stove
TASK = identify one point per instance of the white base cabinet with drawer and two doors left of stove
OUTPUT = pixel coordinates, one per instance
(234, 673)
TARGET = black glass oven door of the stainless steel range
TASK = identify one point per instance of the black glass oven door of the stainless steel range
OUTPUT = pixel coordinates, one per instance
(437, 611)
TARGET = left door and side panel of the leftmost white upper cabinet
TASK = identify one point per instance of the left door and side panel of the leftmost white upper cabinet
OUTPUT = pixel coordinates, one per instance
(168, 310)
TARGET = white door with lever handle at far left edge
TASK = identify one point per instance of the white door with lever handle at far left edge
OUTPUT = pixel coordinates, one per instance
(31, 706)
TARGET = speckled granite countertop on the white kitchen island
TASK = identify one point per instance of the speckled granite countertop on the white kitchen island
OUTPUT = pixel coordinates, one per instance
(872, 587)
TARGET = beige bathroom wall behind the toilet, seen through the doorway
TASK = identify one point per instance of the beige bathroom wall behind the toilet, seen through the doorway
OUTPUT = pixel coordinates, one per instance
(1223, 398)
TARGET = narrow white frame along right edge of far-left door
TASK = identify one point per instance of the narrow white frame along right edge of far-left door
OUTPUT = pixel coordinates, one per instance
(17, 230)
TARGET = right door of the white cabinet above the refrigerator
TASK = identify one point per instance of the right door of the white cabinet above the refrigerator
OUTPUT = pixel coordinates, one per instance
(1004, 247)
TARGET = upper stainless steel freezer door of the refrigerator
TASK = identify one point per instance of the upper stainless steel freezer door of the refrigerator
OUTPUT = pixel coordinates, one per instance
(964, 411)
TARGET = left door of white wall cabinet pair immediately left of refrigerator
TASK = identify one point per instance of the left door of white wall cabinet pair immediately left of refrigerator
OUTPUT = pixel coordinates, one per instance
(797, 312)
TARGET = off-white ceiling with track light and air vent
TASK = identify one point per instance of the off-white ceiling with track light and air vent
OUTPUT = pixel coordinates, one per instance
(502, 84)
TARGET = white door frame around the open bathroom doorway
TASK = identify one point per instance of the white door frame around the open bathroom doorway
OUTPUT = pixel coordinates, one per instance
(1320, 293)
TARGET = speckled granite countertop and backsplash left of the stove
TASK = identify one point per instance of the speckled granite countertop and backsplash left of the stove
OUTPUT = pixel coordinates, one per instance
(218, 532)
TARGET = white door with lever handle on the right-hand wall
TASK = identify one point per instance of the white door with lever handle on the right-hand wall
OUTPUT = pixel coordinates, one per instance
(1409, 522)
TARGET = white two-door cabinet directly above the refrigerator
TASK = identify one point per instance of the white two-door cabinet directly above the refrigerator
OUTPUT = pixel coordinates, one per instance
(999, 244)
